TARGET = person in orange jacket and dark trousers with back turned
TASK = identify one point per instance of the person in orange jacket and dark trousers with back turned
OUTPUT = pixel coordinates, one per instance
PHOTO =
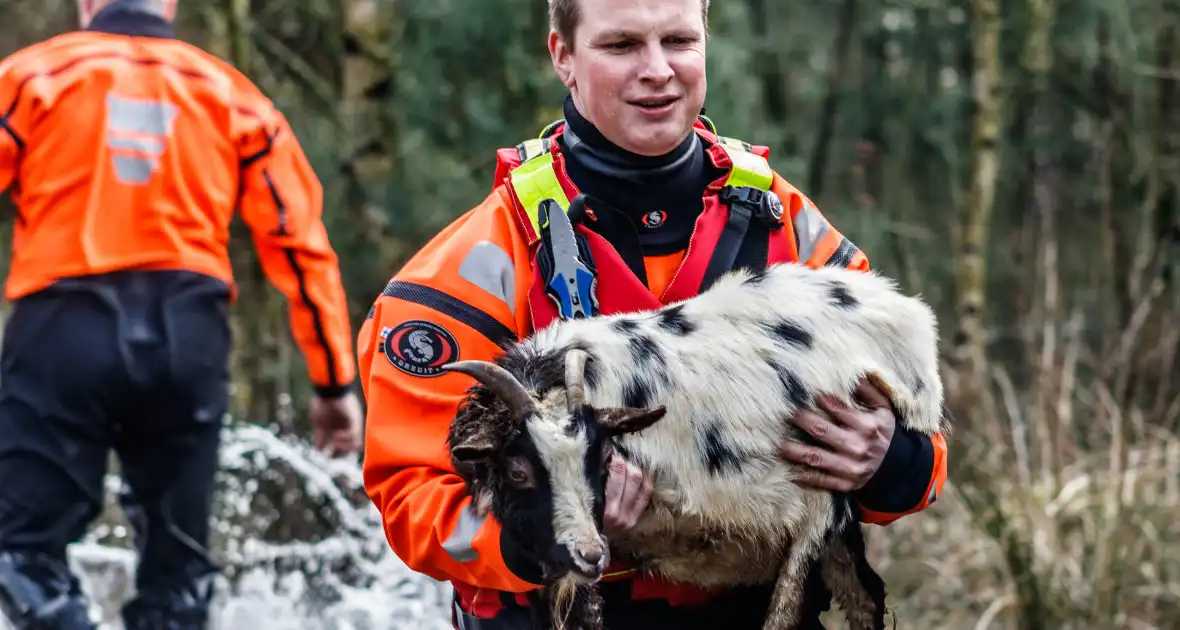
(127, 153)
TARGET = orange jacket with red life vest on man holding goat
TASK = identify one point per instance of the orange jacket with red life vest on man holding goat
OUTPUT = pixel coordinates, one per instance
(477, 285)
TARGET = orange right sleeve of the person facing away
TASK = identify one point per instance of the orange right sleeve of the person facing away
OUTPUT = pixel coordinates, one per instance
(281, 201)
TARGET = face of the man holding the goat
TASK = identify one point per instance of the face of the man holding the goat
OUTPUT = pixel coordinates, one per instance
(637, 70)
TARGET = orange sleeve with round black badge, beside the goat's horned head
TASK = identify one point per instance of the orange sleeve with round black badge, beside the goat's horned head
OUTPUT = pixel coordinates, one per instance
(461, 298)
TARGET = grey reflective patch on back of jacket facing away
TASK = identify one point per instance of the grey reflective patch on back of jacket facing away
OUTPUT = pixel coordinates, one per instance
(140, 130)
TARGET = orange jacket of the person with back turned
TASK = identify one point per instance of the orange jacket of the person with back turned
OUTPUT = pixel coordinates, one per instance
(134, 153)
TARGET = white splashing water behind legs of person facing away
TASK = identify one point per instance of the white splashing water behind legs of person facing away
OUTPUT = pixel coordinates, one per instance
(338, 574)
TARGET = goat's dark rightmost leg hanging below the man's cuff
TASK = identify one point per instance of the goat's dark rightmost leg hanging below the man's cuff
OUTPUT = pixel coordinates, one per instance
(856, 587)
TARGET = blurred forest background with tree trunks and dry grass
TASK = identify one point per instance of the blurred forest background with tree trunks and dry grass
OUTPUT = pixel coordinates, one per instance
(1017, 162)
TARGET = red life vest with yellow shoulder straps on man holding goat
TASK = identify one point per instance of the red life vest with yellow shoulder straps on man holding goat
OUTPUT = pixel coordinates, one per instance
(535, 172)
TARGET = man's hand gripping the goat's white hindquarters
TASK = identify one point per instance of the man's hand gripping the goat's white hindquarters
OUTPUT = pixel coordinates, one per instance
(854, 442)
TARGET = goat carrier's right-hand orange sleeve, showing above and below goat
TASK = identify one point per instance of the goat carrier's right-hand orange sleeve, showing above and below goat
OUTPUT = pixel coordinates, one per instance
(914, 471)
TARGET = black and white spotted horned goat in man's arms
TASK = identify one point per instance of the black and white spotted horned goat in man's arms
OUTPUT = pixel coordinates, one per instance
(698, 395)
